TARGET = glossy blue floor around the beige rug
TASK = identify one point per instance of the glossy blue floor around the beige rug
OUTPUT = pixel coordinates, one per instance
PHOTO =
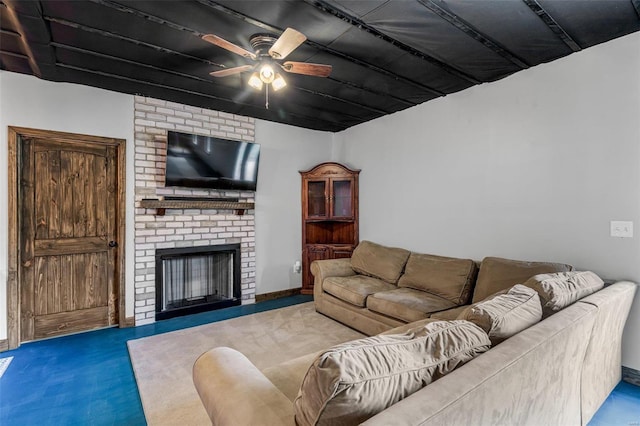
(87, 379)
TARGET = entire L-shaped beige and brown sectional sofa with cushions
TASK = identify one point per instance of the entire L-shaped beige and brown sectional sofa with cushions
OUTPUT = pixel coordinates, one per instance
(510, 343)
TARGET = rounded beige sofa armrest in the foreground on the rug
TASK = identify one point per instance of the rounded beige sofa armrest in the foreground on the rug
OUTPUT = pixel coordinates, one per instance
(234, 392)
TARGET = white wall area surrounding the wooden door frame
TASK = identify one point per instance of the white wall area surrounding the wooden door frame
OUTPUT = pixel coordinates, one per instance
(26, 101)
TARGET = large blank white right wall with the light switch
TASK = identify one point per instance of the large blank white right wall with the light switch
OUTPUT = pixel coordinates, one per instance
(530, 167)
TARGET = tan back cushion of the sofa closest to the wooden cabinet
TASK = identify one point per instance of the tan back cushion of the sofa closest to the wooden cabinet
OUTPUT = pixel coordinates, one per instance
(379, 261)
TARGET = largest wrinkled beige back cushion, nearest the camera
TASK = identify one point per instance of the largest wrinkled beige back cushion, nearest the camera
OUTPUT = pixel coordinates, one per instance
(352, 382)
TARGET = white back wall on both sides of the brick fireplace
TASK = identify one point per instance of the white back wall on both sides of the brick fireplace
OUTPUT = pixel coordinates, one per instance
(26, 101)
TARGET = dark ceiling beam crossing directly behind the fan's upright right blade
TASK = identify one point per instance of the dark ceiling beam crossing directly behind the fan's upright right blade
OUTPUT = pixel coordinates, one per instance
(320, 47)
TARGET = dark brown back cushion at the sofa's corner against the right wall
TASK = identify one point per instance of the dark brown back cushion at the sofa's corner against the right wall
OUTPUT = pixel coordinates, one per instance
(498, 274)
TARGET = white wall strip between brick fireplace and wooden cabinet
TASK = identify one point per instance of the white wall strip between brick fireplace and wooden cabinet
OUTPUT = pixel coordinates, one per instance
(284, 151)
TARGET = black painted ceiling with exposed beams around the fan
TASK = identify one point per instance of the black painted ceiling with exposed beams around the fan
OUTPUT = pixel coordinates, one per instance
(387, 55)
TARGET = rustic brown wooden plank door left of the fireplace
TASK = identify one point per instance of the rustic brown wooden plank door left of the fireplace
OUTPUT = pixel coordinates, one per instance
(68, 211)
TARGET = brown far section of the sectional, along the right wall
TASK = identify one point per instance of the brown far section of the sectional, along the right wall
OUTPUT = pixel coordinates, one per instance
(384, 287)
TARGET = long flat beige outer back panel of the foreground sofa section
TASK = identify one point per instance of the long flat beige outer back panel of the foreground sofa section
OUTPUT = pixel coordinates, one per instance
(532, 378)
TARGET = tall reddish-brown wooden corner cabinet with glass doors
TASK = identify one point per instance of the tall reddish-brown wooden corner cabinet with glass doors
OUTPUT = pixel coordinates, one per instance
(329, 216)
